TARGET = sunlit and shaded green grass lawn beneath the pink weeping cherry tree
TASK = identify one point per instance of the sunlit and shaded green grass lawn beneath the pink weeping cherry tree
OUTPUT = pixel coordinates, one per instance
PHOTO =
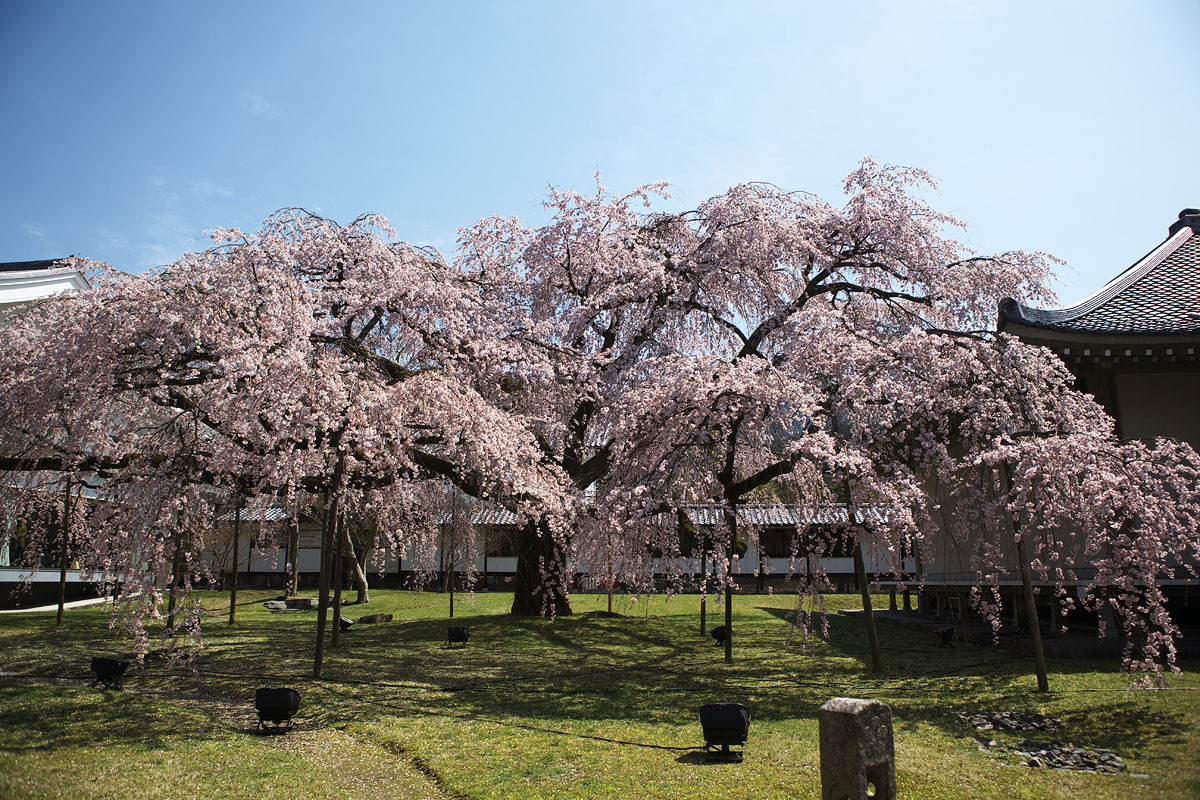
(581, 707)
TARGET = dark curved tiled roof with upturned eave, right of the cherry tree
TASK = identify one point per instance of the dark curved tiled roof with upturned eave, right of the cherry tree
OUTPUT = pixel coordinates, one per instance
(1159, 296)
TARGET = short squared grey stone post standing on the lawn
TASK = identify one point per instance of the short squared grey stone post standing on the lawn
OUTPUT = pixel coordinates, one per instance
(857, 750)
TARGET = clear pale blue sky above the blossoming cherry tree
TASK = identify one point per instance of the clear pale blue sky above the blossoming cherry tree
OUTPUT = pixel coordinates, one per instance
(131, 129)
